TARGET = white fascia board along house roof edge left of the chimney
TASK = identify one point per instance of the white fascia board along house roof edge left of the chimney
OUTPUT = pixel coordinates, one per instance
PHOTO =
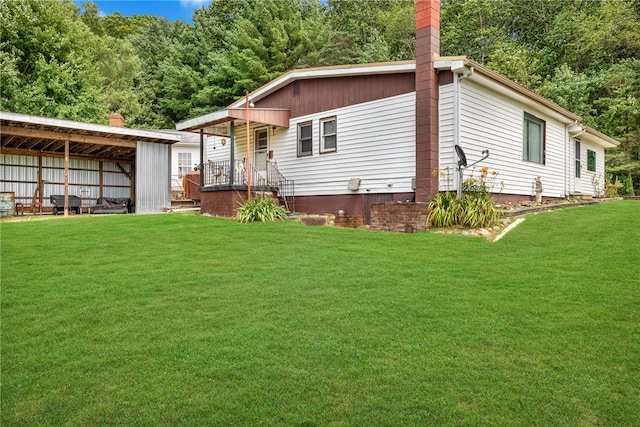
(326, 72)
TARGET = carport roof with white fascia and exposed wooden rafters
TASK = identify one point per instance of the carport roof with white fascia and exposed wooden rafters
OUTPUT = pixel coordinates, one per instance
(36, 135)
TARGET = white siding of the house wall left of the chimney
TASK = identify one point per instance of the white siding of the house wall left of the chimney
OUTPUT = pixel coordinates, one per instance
(389, 149)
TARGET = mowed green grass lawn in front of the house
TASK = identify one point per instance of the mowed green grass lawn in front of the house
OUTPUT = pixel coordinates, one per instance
(189, 320)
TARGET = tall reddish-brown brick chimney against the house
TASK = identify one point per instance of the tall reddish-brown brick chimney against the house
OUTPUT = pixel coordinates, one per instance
(427, 46)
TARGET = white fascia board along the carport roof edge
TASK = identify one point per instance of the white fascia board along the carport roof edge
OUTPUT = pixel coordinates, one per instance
(90, 127)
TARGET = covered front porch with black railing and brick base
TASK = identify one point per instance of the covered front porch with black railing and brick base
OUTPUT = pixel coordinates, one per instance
(247, 168)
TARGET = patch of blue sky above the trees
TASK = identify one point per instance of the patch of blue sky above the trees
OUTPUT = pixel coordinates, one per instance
(170, 9)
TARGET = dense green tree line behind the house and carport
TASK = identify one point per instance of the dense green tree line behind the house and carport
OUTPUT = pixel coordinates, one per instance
(58, 60)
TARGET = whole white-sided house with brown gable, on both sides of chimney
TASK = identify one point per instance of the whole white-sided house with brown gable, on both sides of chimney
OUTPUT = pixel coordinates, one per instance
(370, 111)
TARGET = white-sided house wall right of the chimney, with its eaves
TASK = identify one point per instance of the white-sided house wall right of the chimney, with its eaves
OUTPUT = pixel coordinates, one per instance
(481, 110)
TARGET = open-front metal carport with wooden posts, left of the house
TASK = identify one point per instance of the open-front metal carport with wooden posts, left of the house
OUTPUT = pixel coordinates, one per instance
(41, 156)
